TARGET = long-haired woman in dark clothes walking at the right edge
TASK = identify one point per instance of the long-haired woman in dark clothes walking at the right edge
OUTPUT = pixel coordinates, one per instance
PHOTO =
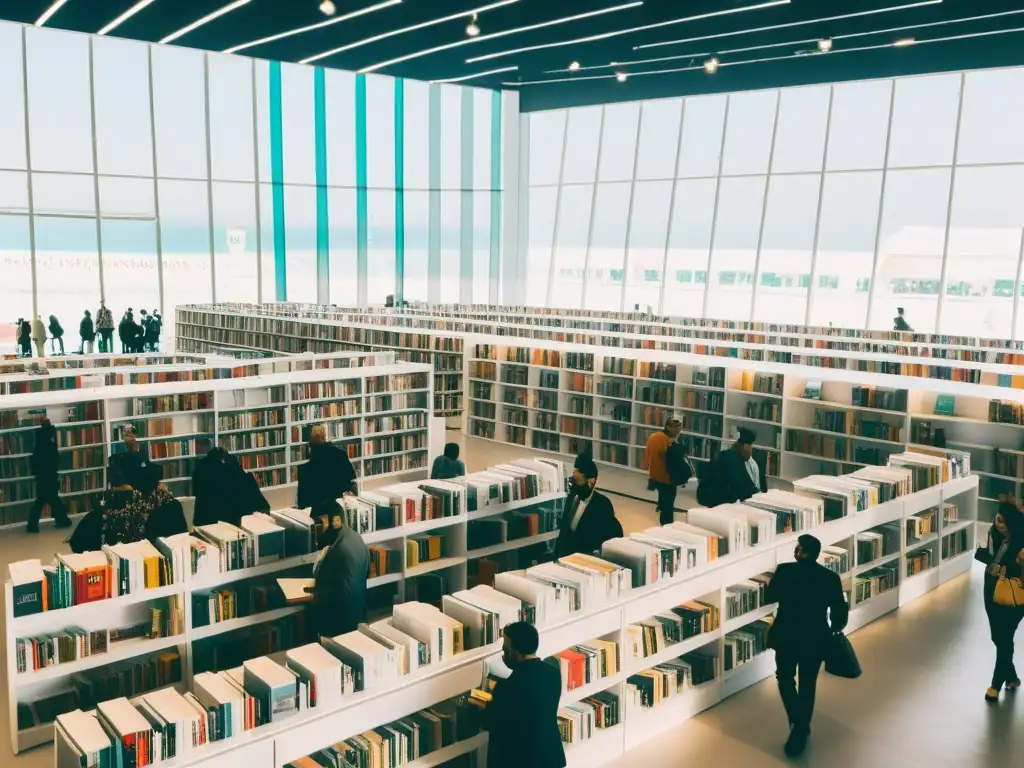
(1004, 557)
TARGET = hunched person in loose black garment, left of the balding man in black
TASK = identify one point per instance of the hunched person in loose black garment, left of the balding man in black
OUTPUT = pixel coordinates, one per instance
(223, 489)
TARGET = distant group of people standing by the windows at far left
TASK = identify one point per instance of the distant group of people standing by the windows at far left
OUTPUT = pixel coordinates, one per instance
(136, 336)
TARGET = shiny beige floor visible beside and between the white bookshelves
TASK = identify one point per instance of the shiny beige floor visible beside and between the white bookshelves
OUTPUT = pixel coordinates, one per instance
(919, 703)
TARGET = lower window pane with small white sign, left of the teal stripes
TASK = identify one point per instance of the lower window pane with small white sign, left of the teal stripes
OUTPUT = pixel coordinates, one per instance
(235, 257)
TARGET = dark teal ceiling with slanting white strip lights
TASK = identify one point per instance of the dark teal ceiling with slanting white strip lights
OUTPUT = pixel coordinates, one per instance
(374, 33)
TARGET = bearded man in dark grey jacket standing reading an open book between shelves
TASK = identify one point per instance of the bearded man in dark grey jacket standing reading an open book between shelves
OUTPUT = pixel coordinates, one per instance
(339, 591)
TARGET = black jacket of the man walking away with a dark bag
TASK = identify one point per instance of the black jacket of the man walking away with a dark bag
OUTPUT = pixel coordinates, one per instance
(812, 607)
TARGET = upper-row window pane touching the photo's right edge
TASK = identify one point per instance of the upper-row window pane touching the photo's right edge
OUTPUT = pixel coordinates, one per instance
(985, 140)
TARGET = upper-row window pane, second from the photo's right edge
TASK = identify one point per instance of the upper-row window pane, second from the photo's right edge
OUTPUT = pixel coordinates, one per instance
(924, 121)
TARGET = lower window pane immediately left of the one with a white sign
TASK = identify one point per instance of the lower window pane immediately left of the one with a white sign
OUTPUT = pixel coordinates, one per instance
(185, 240)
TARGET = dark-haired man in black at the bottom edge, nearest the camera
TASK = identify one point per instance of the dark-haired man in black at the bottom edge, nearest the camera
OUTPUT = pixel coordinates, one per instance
(523, 718)
